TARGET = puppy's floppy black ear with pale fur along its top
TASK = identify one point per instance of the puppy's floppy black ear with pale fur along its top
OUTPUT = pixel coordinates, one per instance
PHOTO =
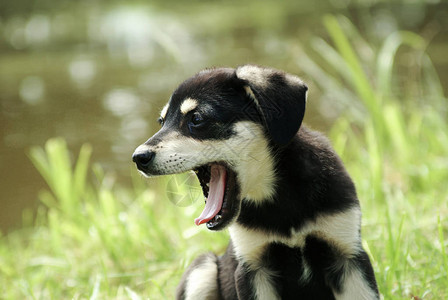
(279, 98)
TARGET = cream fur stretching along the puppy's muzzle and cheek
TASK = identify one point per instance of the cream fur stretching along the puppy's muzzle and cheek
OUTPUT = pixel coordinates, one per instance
(246, 152)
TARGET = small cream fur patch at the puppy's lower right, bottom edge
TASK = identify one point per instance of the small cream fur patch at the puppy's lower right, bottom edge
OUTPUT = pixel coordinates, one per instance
(355, 287)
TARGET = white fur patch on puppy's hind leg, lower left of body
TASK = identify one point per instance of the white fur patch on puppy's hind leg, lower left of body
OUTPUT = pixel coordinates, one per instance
(202, 282)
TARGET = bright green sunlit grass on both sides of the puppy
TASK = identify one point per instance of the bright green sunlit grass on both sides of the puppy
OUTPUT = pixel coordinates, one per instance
(94, 239)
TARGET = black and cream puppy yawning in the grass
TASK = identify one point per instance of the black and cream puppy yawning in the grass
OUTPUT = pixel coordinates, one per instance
(290, 206)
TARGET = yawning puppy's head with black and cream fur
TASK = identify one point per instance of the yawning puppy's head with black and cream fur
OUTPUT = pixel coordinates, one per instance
(223, 123)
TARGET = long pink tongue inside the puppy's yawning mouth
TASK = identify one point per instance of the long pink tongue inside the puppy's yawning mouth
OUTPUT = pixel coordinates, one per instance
(215, 194)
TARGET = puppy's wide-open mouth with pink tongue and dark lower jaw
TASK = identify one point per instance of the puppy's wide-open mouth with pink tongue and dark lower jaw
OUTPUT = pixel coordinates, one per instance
(221, 190)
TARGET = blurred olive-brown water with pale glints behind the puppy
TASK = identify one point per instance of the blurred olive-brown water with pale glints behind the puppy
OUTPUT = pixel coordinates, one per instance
(100, 71)
